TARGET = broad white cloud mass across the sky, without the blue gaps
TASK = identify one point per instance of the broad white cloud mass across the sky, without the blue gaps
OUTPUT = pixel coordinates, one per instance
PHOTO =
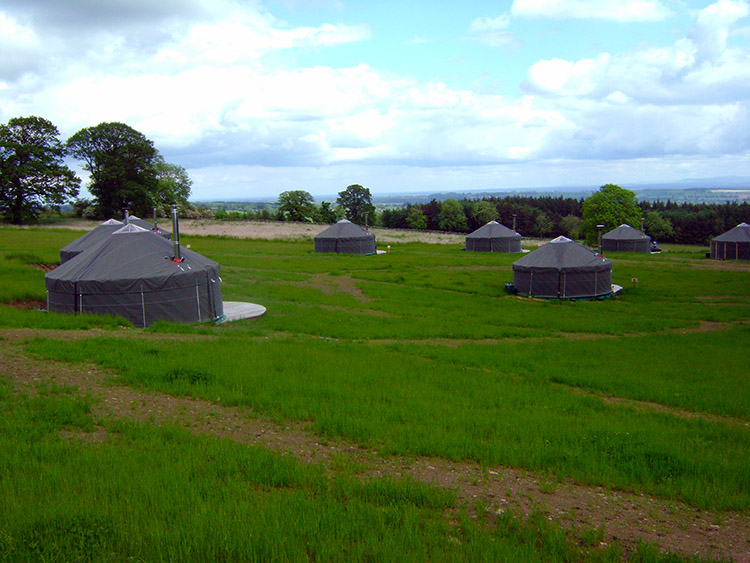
(225, 94)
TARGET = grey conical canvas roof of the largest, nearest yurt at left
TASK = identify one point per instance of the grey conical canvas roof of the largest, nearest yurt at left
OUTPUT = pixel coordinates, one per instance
(129, 255)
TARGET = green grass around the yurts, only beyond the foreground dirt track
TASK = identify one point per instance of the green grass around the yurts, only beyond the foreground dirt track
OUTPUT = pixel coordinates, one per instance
(420, 352)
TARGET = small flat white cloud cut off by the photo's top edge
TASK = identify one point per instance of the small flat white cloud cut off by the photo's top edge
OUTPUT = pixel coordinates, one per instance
(616, 10)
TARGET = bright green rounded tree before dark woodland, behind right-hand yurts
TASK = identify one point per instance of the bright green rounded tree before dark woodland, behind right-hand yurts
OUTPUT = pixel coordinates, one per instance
(611, 206)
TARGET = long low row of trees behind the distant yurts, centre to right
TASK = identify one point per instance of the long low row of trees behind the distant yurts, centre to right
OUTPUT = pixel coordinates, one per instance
(545, 216)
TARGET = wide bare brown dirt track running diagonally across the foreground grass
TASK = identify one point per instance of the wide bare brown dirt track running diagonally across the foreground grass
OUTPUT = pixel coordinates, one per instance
(623, 516)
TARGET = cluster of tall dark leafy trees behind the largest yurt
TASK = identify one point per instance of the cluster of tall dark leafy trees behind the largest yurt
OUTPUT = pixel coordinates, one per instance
(125, 170)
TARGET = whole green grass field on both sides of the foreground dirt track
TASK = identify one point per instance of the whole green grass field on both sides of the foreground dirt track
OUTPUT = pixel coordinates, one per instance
(415, 353)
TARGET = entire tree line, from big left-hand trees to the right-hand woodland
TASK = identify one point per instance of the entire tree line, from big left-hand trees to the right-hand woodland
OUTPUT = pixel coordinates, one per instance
(126, 171)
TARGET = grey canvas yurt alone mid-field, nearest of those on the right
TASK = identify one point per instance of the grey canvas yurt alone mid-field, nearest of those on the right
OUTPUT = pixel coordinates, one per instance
(563, 269)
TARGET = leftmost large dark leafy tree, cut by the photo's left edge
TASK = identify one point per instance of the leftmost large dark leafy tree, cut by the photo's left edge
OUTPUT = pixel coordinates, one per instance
(32, 171)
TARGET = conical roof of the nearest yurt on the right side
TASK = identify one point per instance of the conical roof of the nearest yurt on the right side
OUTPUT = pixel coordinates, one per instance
(565, 255)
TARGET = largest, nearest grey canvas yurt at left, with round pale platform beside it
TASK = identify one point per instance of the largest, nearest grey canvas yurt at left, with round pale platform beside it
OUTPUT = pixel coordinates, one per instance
(133, 274)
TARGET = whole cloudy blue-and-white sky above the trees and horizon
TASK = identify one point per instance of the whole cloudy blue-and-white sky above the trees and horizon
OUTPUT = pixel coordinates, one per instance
(257, 97)
